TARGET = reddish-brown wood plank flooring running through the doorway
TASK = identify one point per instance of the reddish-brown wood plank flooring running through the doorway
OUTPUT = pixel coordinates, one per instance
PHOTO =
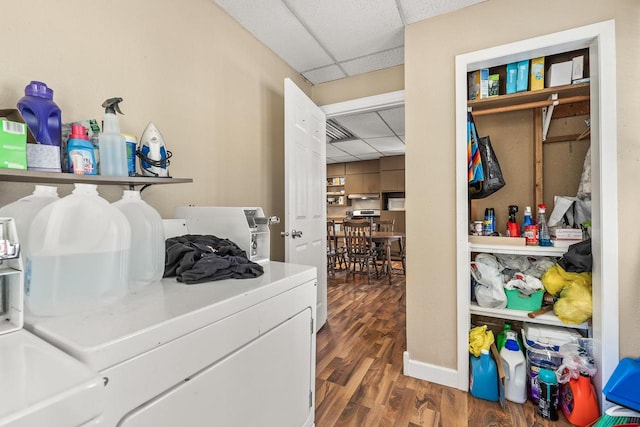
(359, 380)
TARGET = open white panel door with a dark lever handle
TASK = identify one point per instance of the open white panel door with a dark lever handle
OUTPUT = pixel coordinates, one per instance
(305, 190)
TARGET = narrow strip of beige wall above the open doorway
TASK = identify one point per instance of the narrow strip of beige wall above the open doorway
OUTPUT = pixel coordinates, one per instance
(360, 86)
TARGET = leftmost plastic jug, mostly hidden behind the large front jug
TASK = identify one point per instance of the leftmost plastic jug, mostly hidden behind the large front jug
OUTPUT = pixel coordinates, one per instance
(25, 209)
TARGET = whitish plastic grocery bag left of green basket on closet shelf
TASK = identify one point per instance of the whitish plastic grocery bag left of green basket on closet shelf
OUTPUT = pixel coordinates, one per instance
(489, 285)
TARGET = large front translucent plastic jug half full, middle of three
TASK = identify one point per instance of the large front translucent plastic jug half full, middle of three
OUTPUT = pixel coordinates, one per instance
(79, 252)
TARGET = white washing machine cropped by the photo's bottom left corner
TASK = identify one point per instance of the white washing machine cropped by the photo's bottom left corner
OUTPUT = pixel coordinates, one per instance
(42, 386)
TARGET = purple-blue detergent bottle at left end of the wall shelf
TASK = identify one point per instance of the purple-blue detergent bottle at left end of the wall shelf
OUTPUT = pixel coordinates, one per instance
(41, 114)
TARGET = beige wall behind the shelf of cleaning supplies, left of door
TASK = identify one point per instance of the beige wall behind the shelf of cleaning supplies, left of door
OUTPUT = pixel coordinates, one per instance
(212, 89)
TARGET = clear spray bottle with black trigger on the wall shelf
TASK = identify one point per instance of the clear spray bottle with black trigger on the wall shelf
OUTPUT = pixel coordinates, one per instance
(113, 150)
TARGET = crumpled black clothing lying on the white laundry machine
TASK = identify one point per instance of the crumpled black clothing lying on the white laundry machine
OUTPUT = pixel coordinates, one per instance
(204, 258)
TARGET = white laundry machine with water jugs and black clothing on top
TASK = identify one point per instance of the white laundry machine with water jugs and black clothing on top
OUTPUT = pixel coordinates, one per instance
(224, 353)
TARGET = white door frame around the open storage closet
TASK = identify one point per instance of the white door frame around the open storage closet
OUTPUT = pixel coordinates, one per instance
(600, 39)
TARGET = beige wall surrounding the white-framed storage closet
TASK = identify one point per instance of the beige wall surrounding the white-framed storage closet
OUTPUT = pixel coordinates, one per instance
(431, 47)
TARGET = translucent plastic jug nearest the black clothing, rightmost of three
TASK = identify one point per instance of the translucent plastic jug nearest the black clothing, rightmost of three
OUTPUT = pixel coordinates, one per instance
(146, 262)
